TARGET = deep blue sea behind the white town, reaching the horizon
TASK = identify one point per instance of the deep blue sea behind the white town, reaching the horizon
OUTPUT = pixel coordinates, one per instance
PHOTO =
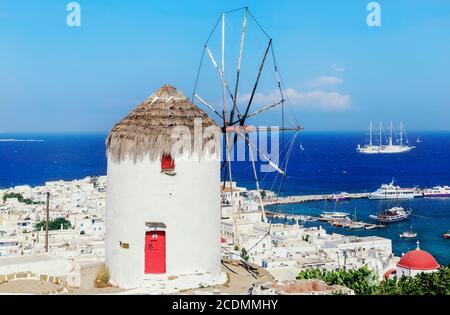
(328, 164)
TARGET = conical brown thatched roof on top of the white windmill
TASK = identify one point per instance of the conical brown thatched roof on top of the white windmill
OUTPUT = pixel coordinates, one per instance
(166, 123)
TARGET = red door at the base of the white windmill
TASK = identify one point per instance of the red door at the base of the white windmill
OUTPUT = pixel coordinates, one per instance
(155, 252)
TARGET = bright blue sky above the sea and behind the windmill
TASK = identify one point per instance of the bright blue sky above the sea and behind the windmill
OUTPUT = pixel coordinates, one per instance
(339, 72)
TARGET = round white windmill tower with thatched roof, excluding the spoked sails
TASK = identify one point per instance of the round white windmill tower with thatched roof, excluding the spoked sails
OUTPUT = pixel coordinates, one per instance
(163, 198)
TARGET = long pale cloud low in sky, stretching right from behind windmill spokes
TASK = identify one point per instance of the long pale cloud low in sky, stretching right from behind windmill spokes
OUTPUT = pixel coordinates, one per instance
(314, 99)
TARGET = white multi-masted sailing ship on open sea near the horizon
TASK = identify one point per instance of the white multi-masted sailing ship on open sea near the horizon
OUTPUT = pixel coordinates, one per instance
(388, 148)
